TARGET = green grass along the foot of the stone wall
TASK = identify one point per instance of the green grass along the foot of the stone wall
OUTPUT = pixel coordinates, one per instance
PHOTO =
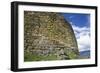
(28, 56)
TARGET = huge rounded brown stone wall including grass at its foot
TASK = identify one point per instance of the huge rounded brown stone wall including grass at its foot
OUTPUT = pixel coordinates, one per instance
(47, 36)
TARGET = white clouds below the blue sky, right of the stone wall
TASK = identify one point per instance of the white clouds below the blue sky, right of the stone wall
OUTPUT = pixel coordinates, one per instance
(83, 37)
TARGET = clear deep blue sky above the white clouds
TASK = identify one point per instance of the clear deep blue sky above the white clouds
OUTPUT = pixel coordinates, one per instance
(77, 19)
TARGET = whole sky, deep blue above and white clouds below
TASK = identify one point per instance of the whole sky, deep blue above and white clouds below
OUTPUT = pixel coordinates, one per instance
(81, 27)
